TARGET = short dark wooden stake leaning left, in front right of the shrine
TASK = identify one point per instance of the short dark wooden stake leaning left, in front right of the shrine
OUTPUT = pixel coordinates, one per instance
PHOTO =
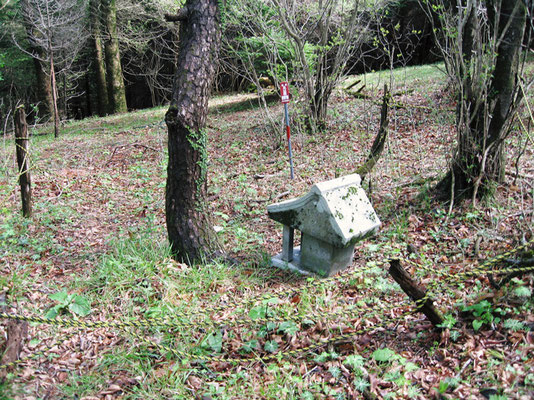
(416, 293)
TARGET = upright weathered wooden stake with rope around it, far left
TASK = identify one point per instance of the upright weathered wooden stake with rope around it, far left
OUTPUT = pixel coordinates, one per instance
(21, 143)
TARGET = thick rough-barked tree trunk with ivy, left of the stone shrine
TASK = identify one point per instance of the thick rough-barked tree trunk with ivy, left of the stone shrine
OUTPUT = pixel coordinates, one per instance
(190, 233)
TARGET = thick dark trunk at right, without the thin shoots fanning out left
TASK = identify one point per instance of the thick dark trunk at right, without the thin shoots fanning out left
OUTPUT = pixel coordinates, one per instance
(484, 116)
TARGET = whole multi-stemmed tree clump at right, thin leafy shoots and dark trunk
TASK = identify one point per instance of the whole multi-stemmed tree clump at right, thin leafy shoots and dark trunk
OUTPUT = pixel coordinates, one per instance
(482, 44)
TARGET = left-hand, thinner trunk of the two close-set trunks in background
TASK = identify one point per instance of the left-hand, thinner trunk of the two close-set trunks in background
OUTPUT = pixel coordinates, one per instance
(99, 62)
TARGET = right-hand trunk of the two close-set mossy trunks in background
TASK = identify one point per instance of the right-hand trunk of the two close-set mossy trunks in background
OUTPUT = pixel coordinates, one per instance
(115, 80)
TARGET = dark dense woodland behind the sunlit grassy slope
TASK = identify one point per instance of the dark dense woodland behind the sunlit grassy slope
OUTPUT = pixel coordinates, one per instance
(83, 35)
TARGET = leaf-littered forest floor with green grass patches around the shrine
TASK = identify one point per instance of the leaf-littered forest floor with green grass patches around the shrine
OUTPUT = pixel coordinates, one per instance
(96, 250)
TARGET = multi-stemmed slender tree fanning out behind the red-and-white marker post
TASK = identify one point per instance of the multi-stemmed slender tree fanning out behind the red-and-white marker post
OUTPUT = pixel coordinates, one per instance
(333, 28)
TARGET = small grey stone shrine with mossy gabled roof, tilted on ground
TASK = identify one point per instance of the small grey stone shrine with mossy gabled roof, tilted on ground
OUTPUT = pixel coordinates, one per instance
(332, 217)
